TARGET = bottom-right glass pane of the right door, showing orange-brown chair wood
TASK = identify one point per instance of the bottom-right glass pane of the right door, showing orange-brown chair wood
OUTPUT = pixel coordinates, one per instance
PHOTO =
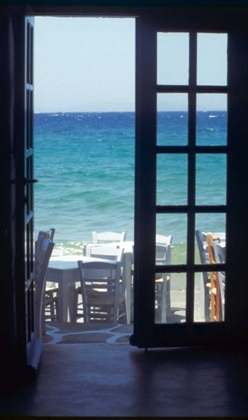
(209, 296)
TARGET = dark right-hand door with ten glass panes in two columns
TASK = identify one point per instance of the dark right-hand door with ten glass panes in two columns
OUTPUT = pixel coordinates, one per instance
(181, 115)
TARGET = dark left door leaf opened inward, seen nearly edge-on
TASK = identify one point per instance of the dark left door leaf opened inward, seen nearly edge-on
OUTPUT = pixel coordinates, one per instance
(25, 204)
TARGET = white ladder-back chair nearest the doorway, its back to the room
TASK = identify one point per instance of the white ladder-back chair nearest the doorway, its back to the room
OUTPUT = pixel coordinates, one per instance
(101, 291)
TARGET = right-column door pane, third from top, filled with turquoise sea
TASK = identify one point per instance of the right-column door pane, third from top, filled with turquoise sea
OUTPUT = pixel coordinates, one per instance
(211, 179)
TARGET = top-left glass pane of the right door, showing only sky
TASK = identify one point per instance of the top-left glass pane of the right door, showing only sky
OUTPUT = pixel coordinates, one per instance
(173, 58)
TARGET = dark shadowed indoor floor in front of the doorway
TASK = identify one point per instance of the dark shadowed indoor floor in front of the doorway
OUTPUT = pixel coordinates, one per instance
(119, 380)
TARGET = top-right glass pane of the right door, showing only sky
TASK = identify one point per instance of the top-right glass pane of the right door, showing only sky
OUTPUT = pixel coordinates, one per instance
(212, 59)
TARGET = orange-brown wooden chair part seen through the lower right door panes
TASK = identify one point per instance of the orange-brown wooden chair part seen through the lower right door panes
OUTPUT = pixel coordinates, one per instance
(215, 300)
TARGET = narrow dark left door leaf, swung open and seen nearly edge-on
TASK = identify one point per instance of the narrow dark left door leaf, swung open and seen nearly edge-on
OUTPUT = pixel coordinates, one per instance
(33, 345)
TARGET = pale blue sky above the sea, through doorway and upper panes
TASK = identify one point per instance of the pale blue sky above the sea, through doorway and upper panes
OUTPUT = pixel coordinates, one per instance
(88, 65)
